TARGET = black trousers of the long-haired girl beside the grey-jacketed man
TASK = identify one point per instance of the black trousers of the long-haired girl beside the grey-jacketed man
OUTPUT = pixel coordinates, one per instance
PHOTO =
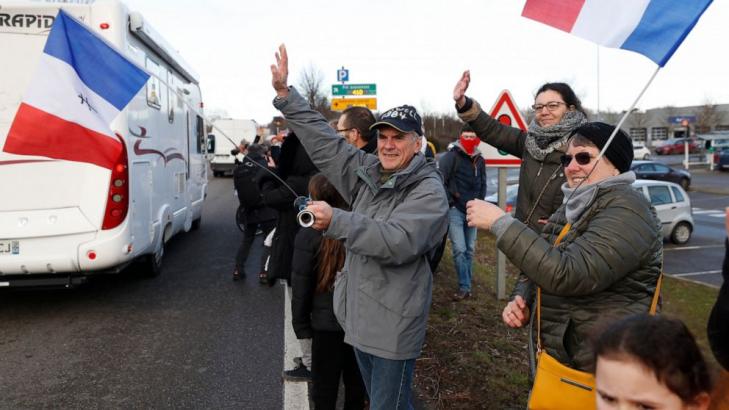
(330, 359)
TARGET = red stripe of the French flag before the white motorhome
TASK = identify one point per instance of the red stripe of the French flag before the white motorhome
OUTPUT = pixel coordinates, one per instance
(36, 132)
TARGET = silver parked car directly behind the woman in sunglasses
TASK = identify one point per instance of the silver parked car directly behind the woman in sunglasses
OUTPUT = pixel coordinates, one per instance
(673, 207)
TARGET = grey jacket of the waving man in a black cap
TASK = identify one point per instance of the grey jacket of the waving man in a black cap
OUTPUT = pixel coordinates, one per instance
(382, 297)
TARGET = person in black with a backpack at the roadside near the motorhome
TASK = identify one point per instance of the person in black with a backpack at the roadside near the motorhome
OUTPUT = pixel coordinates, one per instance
(253, 214)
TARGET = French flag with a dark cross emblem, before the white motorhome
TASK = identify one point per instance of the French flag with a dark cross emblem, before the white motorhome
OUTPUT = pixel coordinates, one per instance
(80, 86)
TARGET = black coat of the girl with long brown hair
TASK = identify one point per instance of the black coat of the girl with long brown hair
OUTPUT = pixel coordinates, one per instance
(309, 309)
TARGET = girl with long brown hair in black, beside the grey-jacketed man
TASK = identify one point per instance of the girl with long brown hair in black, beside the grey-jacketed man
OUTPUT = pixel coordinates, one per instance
(316, 262)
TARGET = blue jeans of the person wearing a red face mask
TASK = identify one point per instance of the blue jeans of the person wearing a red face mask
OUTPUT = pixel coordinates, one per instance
(463, 241)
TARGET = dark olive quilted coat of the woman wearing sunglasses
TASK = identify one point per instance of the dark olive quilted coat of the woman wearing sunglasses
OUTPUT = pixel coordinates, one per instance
(606, 267)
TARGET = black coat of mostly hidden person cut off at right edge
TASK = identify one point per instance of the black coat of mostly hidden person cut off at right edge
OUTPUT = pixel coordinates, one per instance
(718, 327)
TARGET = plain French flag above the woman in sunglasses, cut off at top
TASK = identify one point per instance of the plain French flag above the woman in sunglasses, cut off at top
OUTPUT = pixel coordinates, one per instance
(654, 28)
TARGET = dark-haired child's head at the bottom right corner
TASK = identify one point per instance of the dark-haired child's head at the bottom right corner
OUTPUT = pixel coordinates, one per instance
(650, 362)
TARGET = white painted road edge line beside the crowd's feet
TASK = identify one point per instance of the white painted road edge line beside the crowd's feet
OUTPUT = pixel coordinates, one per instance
(296, 394)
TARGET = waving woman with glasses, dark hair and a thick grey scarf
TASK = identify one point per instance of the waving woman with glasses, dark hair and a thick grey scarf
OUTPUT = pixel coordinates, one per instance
(557, 112)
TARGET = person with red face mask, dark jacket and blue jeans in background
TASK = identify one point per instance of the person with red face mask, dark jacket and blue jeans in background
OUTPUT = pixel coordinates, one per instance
(464, 175)
